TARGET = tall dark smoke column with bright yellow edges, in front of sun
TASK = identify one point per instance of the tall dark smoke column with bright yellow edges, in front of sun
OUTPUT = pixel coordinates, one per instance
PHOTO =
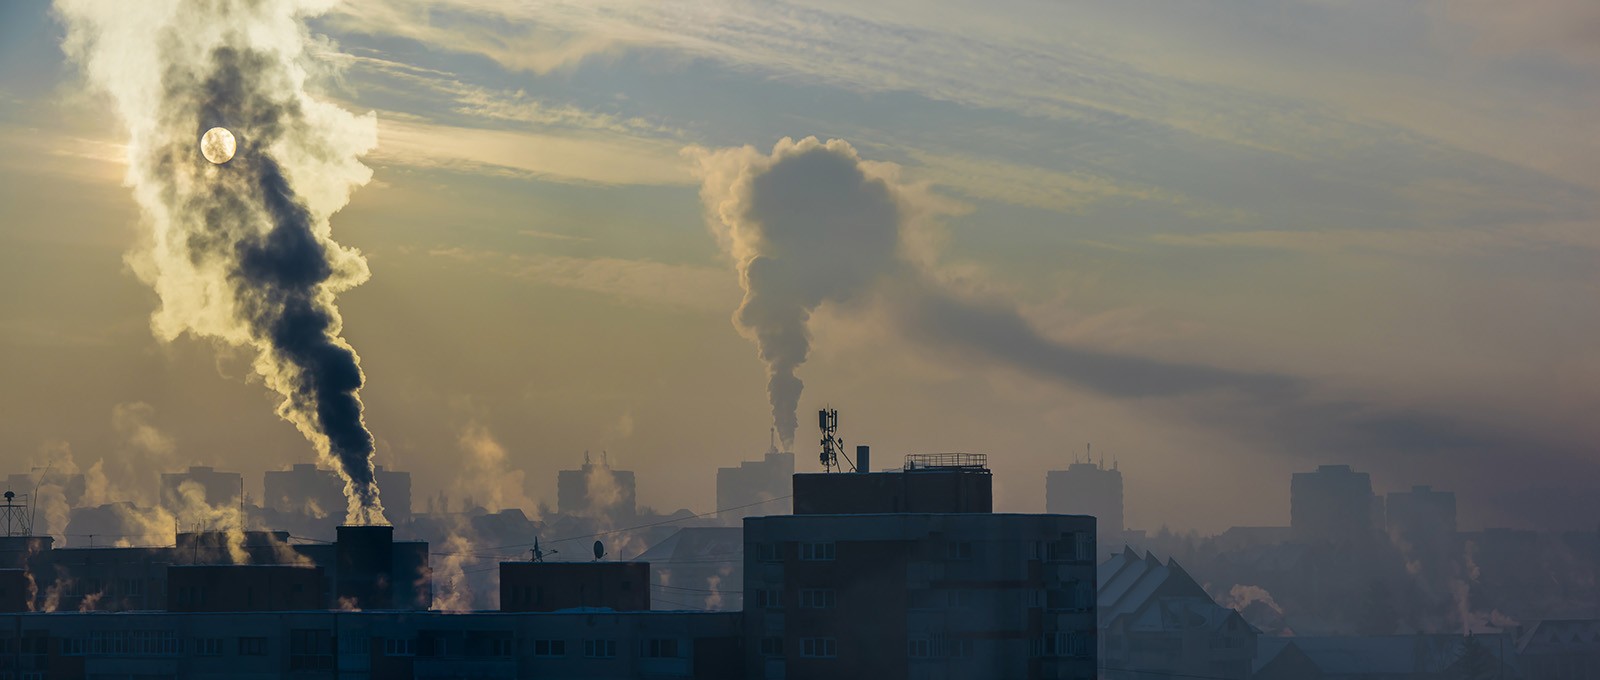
(242, 252)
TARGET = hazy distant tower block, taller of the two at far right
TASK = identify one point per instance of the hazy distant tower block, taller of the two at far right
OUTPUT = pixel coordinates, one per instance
(1335, 505)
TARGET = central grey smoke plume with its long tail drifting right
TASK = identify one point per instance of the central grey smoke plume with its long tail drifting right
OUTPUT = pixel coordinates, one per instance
(812, 223)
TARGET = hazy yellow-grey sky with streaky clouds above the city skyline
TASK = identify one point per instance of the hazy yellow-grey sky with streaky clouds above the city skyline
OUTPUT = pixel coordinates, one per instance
(1220, 241)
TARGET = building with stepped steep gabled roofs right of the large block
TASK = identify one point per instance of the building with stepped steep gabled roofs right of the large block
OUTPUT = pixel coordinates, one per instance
(1158, 622)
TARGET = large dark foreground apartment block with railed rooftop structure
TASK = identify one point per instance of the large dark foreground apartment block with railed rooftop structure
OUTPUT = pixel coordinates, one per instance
(911, 575)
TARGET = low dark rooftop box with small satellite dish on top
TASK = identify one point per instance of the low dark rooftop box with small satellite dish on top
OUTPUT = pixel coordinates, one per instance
(554, 586)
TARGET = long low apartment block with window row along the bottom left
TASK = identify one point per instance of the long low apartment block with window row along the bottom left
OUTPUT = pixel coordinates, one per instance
(372, 646)
